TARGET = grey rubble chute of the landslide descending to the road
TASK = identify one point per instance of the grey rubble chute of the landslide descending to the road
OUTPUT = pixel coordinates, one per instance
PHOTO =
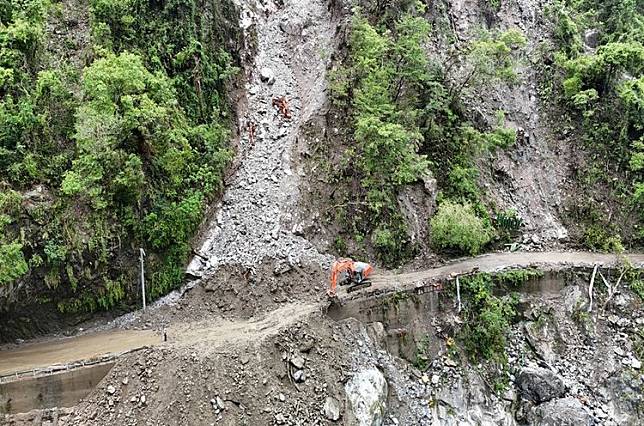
(255, 220)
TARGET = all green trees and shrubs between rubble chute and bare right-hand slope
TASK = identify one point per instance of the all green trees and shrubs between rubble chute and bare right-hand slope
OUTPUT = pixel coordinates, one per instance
(408, 123)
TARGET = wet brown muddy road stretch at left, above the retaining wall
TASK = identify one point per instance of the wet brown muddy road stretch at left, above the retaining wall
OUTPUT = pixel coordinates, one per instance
(65, 351)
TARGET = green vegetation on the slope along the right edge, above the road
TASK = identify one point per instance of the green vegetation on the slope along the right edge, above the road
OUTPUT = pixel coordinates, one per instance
(598, 76)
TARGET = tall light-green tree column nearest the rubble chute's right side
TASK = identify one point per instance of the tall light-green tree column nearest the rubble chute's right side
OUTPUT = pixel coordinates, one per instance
(379, 85)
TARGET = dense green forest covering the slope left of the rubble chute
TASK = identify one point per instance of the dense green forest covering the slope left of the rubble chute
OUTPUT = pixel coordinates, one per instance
(118, 150)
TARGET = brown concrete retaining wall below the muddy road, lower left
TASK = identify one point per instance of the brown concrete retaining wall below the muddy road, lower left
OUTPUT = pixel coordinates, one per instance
(55, 390)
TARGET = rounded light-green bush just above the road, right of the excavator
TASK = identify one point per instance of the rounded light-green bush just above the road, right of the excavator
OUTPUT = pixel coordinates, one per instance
(456, 226)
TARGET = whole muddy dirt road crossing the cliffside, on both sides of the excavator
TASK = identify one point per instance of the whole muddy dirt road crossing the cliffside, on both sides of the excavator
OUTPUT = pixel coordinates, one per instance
(209, 335)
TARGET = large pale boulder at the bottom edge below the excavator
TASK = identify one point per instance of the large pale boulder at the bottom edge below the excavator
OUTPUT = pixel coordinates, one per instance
(366, 398)
